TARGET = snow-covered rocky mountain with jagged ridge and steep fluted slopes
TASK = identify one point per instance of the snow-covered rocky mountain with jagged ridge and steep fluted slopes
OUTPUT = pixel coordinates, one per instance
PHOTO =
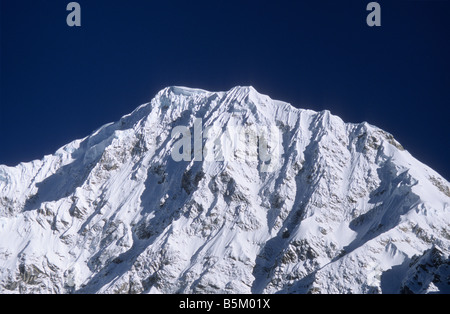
(225, 192)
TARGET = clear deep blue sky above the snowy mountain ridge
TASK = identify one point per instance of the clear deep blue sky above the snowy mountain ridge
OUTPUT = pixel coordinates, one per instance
(60, 83)
